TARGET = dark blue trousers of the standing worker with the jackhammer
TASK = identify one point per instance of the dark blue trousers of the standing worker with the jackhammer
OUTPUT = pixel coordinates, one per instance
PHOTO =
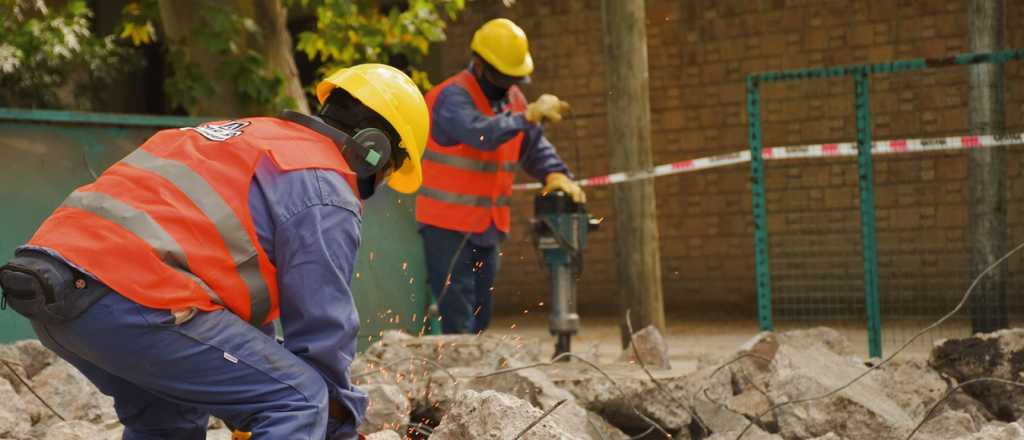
(467, 303)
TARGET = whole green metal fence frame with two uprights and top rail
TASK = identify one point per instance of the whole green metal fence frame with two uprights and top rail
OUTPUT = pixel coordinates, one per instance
(862, 75)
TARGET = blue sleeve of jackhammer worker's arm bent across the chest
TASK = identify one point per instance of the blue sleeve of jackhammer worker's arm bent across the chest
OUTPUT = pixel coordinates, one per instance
(457, 121)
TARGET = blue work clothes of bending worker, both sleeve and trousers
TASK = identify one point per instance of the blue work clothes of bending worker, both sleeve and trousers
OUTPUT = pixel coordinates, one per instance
(167, 379)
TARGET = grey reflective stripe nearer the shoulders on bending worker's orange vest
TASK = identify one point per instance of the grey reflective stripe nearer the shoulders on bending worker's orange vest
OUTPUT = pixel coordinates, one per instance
(242, 250)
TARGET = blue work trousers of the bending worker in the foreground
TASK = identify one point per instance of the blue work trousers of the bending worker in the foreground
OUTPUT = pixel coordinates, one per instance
(167, 379)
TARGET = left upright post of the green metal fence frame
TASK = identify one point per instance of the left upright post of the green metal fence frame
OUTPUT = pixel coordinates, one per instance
(760, 216)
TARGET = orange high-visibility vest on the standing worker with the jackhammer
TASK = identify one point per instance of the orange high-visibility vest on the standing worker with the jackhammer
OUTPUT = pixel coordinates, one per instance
(465, 189)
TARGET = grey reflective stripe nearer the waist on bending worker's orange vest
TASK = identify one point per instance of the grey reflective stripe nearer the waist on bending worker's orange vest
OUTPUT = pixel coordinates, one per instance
(143, 227)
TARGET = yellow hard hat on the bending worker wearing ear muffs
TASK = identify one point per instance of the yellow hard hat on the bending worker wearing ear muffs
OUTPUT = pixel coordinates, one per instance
(392, 95)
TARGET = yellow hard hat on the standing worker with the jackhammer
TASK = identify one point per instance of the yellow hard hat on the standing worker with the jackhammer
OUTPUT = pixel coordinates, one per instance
(504, 46)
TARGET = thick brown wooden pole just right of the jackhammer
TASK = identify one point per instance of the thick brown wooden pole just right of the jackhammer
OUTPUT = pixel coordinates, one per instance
(629, 145)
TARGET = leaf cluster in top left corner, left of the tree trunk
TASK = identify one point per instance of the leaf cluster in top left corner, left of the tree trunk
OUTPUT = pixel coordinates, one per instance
(51, 59)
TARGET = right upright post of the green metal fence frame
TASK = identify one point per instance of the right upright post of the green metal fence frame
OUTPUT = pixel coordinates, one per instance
(867, 187)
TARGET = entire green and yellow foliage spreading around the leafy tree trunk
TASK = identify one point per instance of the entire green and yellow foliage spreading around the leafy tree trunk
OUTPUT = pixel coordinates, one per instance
(50, 58)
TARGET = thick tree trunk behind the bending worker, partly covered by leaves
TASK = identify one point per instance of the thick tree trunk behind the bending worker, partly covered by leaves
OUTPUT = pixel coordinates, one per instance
(182, 18)
